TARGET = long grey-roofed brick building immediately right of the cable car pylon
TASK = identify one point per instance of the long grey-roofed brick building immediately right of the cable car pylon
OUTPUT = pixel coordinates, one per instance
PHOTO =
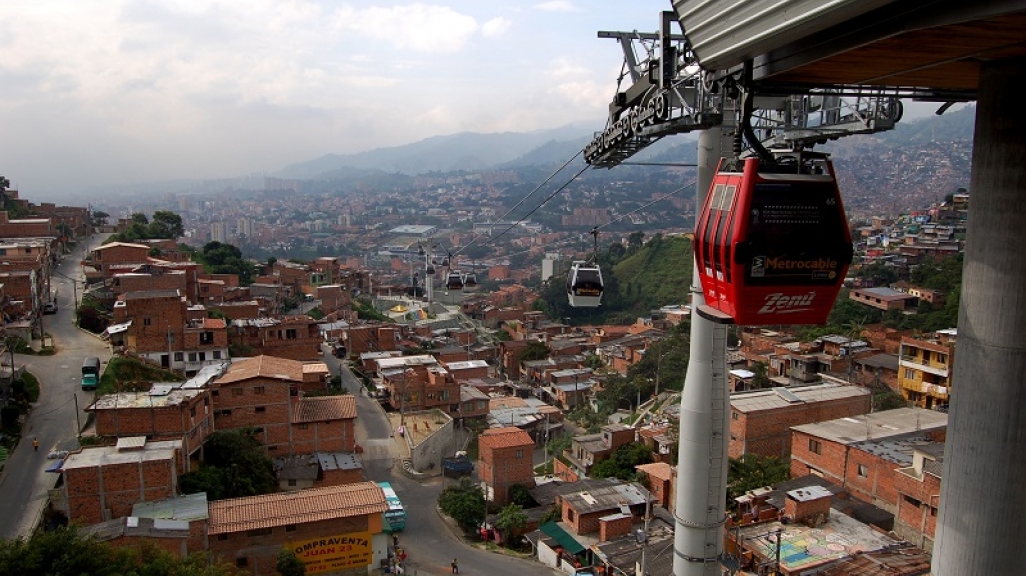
(761, 420)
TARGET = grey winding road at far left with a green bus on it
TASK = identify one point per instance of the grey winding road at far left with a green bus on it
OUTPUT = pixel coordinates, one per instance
(24, 483)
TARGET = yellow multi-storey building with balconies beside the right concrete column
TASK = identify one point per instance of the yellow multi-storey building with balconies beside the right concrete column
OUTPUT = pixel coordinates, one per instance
(925, 369)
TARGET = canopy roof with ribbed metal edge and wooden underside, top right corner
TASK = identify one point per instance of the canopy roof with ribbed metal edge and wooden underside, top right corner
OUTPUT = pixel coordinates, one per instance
(930, 49)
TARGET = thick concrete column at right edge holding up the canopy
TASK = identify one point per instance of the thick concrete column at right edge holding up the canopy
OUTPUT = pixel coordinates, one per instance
(983, 512)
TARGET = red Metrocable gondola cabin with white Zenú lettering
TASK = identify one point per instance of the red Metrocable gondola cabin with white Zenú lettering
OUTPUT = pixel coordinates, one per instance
(772, 242)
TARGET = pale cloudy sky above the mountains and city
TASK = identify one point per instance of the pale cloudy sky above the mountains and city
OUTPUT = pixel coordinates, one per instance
(97, 93)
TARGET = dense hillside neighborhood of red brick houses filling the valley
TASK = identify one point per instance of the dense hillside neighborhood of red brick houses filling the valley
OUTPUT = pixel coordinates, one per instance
(581, 417)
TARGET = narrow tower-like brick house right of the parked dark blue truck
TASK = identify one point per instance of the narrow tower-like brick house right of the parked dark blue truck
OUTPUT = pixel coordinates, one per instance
(505, 460)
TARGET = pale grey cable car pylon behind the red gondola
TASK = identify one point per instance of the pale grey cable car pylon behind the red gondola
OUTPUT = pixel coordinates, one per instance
(694, 539)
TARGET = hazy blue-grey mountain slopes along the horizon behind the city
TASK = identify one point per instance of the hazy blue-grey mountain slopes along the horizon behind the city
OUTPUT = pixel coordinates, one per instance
(875, 163)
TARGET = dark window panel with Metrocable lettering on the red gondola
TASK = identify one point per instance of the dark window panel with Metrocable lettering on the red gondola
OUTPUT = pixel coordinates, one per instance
(797, 235)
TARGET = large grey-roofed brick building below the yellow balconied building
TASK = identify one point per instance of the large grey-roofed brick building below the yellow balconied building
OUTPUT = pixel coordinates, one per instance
(861, 453)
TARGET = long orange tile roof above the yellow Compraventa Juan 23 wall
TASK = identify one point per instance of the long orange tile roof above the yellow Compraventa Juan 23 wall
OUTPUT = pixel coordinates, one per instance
(239, 515)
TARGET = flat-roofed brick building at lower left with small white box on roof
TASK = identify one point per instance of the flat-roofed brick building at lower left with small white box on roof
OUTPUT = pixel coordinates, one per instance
(104, 483)
